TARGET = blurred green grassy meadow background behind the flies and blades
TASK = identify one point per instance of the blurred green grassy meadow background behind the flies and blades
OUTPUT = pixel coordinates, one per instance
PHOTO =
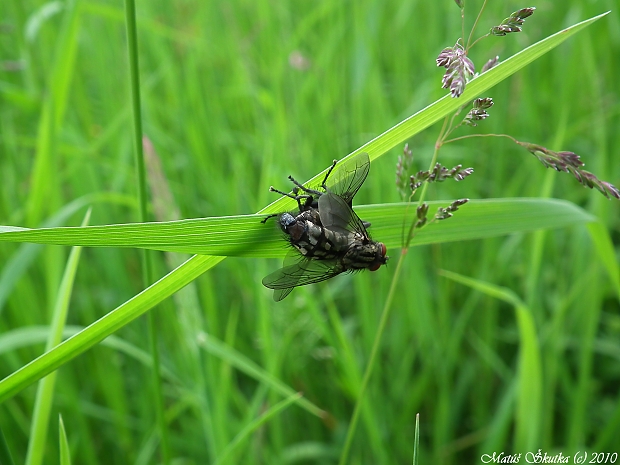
(236, 96)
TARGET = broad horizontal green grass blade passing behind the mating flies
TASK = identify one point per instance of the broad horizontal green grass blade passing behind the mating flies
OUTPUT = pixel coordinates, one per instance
(245, 236)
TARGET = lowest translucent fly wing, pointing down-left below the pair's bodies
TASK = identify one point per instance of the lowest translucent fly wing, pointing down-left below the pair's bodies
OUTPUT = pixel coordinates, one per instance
(298, 271)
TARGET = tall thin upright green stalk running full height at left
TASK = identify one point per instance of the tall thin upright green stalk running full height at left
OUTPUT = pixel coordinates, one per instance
(147, 269)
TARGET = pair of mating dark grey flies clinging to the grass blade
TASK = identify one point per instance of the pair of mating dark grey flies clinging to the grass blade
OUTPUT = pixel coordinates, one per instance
(327, 235)
